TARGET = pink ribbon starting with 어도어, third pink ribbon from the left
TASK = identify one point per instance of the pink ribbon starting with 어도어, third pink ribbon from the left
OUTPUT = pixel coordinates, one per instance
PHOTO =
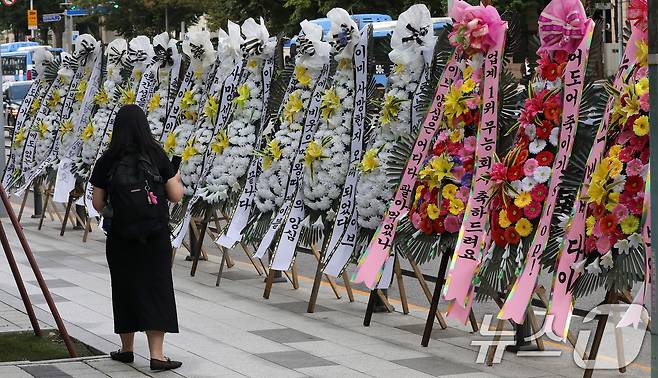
(519, 297)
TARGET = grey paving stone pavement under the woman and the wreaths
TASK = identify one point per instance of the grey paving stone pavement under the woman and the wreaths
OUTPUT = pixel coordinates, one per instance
(231, 331)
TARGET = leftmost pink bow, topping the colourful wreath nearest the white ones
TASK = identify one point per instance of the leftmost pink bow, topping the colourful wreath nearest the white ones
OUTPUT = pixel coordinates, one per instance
(476, 27)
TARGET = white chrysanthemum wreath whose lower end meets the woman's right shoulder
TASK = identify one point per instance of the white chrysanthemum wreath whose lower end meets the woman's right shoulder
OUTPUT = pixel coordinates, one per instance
(198, 47)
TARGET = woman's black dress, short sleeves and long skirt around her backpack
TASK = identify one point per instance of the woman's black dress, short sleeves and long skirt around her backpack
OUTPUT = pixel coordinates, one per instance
(140, 270)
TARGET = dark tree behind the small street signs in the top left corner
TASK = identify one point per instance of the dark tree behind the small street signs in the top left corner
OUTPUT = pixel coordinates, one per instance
(14, 18)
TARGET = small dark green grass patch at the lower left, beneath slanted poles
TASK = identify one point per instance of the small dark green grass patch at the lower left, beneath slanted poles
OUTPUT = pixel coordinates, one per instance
(25, 346)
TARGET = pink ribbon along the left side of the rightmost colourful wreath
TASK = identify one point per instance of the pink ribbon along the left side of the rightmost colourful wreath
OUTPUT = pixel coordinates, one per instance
(561, 305)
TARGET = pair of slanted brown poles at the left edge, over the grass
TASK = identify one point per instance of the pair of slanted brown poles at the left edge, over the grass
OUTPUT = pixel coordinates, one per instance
(4, 241)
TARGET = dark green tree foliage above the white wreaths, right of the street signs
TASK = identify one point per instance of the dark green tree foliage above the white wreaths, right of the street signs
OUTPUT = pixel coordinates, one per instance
(130, 18)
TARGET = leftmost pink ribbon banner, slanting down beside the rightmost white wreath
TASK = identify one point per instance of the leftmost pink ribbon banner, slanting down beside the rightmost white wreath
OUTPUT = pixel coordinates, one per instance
(370, 266)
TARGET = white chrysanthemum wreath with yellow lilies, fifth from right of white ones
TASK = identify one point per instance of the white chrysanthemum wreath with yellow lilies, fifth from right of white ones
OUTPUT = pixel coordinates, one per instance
(192, 159)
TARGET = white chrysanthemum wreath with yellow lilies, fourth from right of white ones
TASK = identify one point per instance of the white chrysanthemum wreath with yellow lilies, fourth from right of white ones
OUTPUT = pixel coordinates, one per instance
(236, 144)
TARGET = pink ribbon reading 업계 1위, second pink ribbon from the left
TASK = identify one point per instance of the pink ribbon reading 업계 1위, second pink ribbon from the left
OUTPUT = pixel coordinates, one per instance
(472, 232)
